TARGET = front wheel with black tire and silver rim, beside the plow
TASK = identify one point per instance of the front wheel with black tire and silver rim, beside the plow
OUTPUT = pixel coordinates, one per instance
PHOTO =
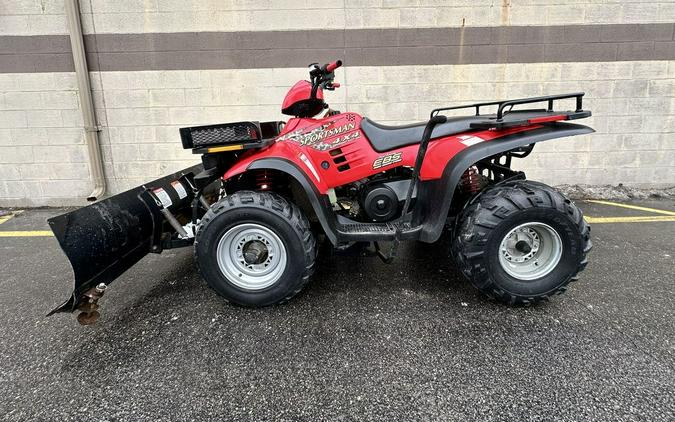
(255, 248)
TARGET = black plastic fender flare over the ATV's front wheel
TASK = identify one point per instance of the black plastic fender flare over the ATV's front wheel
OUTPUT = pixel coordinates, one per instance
(318, 201)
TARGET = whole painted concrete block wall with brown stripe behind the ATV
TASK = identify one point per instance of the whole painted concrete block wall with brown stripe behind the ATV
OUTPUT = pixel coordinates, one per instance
(158, 65)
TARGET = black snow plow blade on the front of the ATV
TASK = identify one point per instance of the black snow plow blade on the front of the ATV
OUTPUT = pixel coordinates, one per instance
(105, 239)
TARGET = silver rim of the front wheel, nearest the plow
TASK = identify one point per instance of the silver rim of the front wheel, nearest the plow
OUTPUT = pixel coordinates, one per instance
(251, 256)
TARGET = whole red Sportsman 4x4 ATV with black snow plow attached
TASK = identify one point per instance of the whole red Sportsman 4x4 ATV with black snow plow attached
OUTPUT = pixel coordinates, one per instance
(266, 191)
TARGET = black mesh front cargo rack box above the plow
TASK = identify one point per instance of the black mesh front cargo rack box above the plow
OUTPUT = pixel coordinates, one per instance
(229, 136)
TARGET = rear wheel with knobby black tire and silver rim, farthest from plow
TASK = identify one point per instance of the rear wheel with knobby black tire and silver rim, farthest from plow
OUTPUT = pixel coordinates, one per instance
(521, 242)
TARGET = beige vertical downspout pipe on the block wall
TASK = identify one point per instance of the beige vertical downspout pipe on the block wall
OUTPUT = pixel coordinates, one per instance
(86, 100)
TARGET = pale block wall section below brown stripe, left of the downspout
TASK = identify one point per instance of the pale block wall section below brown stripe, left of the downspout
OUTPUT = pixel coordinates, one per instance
(42, 155)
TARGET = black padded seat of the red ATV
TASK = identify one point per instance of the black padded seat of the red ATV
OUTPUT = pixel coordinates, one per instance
(384, 138)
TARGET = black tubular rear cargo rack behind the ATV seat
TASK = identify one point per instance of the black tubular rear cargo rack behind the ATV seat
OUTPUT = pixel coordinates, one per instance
(507, 117)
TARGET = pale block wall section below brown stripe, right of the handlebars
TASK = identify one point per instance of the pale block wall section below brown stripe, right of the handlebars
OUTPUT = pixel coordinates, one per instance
(633, 106)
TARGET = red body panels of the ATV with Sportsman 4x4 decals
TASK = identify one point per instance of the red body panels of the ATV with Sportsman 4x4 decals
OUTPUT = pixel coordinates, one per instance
(323, 148)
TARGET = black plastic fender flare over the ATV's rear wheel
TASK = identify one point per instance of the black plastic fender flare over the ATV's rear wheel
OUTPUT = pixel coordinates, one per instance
(433, 217)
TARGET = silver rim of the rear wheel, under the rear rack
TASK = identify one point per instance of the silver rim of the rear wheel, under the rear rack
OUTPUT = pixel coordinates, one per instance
(530, 251)
